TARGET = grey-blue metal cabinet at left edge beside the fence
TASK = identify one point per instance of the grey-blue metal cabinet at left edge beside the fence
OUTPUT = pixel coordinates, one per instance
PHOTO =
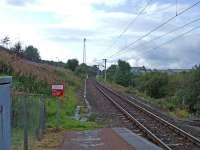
(5, 105)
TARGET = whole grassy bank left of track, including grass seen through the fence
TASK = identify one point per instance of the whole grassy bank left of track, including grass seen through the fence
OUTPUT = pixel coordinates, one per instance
(36, 78)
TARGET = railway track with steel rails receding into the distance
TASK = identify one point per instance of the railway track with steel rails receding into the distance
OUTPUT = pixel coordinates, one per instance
(149, 125)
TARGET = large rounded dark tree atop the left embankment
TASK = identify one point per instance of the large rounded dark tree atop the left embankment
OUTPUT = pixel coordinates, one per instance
(32, 53)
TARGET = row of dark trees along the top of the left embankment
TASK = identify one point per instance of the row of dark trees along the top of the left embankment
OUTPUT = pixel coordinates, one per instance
(32, 53)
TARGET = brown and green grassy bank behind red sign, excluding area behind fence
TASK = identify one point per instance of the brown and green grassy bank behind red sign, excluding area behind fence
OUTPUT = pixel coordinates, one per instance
(36, 78)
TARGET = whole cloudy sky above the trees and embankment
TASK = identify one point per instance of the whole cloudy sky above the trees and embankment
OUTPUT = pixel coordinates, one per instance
(57, 29)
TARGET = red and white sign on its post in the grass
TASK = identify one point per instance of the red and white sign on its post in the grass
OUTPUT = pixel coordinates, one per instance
(57, 91)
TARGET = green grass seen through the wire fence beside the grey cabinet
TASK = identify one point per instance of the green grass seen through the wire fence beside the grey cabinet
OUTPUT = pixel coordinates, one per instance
(17, 132)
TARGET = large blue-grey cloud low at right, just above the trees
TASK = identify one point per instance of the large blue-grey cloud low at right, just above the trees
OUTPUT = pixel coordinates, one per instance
(182, 53)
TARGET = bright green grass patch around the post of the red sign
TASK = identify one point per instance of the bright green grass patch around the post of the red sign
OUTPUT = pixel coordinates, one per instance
(68, 106)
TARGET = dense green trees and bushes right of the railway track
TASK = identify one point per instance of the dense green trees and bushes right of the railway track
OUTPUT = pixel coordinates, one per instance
(178, 90)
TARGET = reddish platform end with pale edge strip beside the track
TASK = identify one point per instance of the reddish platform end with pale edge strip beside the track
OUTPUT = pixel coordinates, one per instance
(105, 139)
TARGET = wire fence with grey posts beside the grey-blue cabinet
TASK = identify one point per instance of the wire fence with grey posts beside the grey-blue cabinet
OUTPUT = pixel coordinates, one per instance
(27, 120)
